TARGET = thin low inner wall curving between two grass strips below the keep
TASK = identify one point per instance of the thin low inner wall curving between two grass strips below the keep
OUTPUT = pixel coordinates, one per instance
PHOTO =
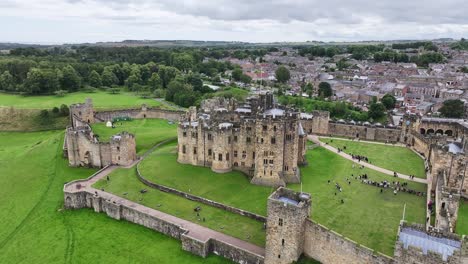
(200, 199)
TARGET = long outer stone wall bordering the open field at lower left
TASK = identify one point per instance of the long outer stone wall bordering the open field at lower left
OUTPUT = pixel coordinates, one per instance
(121, 209)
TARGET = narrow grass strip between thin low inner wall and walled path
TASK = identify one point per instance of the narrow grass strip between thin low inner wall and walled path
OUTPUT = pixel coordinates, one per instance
(125, 181)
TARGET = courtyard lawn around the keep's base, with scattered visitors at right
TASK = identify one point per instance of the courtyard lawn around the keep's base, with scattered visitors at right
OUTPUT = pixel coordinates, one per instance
(367, 216)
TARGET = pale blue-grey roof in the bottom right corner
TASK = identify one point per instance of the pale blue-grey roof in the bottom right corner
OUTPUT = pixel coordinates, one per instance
(419, 239)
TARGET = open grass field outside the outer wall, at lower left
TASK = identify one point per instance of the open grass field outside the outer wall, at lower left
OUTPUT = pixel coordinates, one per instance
(35, 229)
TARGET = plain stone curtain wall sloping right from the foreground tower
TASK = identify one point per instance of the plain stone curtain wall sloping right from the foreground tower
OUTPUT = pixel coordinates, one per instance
(329, 247)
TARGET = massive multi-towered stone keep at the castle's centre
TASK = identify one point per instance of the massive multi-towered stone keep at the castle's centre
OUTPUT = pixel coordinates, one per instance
(257, 137)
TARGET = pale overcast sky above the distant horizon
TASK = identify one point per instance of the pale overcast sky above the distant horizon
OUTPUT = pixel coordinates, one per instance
(73, 21)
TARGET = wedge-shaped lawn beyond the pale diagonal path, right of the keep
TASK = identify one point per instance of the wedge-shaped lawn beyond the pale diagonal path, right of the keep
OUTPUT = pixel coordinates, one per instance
(394, 158)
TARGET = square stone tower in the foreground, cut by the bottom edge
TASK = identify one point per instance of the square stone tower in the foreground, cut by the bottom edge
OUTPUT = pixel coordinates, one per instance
(286, 219)
